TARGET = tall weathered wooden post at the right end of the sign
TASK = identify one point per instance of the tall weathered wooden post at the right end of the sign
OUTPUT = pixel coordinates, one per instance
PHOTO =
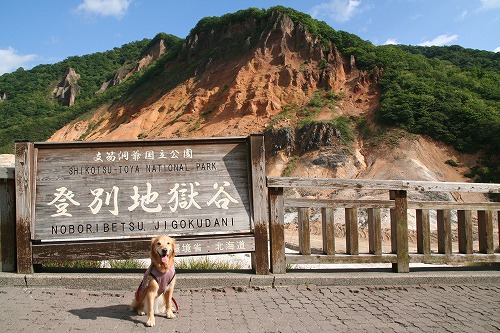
(260, 258)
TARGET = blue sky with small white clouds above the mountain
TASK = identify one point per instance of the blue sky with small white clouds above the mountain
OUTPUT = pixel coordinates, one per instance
(34, 32)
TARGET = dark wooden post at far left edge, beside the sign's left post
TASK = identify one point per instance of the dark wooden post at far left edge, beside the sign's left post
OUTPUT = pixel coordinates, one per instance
(7, 218)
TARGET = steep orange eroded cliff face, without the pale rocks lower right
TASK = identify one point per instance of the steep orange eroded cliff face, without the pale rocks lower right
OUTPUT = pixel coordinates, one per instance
(280, 67)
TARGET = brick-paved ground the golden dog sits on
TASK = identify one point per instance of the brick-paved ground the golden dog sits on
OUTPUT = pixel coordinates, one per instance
(302, 308)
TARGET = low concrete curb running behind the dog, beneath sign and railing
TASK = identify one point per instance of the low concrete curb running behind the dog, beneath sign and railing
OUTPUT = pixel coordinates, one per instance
(130, 281)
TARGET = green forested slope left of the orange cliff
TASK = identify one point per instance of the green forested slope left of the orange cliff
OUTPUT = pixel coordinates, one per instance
(31, 112)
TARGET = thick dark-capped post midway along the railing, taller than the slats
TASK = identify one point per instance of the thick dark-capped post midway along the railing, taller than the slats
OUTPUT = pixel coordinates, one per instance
(401, 231)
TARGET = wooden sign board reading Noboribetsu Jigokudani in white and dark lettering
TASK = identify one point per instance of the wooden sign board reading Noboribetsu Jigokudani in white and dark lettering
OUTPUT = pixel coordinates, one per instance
(109, 190)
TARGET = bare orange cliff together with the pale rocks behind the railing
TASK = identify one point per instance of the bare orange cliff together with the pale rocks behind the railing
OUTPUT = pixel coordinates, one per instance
(275, 66)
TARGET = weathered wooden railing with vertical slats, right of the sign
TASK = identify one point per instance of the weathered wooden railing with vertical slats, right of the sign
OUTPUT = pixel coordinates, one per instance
(400, 256)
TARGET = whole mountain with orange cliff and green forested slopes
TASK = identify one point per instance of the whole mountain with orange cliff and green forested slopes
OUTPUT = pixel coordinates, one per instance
(329, 103)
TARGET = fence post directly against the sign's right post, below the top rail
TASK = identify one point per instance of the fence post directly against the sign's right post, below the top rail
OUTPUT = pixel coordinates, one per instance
(277, 229)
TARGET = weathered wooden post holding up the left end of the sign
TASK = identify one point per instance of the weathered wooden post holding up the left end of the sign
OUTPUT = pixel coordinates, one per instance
(24, 205)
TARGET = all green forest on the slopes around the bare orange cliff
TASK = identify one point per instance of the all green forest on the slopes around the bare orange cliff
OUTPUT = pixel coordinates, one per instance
(450, 93)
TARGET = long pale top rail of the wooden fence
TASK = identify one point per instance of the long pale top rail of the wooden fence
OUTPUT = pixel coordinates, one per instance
(366, 184)
